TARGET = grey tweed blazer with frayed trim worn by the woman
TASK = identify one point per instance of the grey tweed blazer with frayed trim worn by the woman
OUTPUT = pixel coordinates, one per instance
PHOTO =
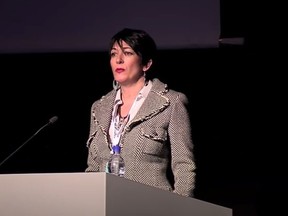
(156, 144)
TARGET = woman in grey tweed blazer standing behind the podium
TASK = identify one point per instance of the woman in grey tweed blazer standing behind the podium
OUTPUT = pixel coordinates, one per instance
(148, 120)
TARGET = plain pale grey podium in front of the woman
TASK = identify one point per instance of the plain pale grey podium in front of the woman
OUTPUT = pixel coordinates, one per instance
(94, 194)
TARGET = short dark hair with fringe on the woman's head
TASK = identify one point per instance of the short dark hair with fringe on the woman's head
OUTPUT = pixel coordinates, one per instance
(140, 41)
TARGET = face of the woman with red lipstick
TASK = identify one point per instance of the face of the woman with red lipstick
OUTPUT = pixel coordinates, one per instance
(125, 64)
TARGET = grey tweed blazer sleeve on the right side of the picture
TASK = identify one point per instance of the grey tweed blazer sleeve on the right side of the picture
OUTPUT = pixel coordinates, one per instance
(180, 134)
